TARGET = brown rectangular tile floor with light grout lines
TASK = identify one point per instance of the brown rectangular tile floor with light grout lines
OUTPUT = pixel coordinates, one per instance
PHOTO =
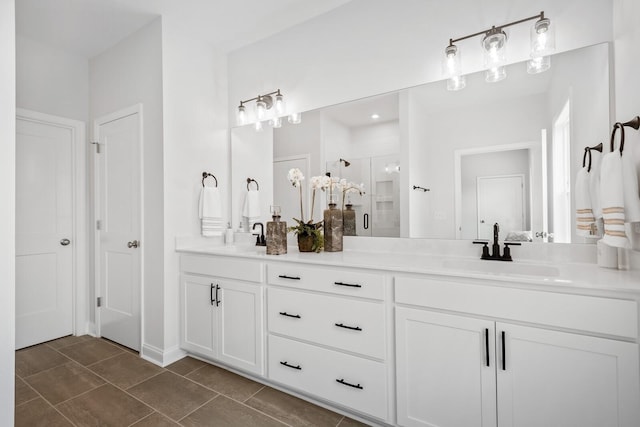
(85, 381)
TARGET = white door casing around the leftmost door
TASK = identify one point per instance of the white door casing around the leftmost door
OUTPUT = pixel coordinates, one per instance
(79, 238)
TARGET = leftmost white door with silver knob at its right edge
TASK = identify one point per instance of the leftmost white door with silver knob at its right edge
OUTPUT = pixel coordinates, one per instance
(44, 232)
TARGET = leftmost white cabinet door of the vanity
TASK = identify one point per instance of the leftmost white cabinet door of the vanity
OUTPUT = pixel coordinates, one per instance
(197, 311)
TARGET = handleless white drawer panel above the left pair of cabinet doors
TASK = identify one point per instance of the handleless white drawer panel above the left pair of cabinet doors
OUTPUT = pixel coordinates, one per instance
(226, 267)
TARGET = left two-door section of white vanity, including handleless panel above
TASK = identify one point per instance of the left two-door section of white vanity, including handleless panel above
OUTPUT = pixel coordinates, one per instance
(221, 309)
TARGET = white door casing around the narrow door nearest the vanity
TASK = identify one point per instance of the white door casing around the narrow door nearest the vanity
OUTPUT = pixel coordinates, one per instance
(120, 114)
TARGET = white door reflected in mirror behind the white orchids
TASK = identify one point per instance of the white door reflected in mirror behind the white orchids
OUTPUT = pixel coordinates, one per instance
(287, 196)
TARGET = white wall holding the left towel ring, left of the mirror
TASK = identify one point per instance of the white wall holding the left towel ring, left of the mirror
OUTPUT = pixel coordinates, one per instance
(196, 139)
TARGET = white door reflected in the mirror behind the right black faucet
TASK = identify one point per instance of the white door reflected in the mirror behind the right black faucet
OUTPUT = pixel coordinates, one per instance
(501, 200)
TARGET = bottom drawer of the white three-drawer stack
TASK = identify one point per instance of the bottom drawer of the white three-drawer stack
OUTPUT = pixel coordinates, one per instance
(318, 371)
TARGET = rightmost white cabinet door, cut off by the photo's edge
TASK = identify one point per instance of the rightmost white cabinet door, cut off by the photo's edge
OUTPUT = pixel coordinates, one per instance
(552, 378)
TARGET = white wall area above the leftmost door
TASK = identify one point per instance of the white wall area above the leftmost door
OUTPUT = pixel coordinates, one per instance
(51, 81)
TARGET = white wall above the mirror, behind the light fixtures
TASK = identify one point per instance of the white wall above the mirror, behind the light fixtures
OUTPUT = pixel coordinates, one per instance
(369, 47)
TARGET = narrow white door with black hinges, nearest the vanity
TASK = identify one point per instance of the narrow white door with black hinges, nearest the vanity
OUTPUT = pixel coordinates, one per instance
(119, 252)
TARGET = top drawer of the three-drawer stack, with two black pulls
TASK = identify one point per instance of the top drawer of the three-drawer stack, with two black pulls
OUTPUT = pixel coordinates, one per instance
(337, 281)
